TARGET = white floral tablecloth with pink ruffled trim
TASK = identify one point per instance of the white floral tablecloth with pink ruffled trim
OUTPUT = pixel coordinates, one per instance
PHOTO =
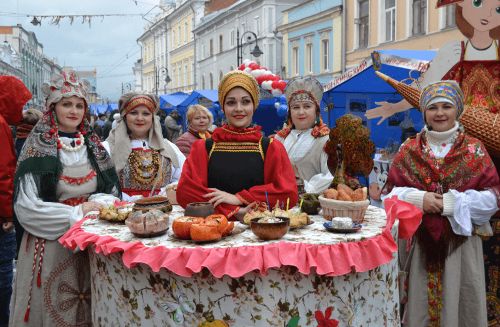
(311, 277)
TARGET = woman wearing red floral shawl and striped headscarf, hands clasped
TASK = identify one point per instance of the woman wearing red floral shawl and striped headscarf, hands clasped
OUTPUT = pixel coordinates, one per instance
(450, 176)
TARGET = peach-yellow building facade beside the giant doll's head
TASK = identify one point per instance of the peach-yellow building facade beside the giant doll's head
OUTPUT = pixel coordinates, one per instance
(396, 24)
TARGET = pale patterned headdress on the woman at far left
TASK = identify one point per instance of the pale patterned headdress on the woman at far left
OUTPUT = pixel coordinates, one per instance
(65, 85)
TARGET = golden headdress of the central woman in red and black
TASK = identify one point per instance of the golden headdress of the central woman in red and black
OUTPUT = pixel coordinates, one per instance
(238, 78)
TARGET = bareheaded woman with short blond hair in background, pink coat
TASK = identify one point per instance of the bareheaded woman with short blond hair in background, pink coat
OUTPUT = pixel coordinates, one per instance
(200, 119)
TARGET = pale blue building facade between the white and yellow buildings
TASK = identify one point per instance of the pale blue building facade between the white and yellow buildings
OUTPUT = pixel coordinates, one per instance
(313, 40)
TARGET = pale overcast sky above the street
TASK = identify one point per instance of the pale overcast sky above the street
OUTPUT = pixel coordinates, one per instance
(109, 45)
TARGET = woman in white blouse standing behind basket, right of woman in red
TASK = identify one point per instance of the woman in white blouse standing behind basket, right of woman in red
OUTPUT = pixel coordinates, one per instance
(305, 135)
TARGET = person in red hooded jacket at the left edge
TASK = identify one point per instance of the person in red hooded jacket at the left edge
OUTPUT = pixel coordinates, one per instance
(13, 96)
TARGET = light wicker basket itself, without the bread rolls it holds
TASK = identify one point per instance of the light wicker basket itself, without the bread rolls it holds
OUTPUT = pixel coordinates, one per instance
(354, 209)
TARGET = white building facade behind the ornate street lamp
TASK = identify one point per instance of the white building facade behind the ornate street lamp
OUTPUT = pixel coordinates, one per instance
(217, 38)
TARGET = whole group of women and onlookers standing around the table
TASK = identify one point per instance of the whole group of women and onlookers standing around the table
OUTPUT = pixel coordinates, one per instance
(63, 161)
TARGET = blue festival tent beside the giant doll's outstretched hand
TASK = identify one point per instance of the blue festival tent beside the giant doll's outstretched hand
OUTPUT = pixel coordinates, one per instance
(359, 88)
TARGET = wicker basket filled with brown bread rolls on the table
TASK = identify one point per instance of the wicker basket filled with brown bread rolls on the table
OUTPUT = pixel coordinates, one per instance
(345, 202)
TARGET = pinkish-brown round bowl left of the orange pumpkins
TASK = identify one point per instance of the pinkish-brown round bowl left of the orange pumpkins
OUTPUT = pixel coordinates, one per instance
(149, 224)
